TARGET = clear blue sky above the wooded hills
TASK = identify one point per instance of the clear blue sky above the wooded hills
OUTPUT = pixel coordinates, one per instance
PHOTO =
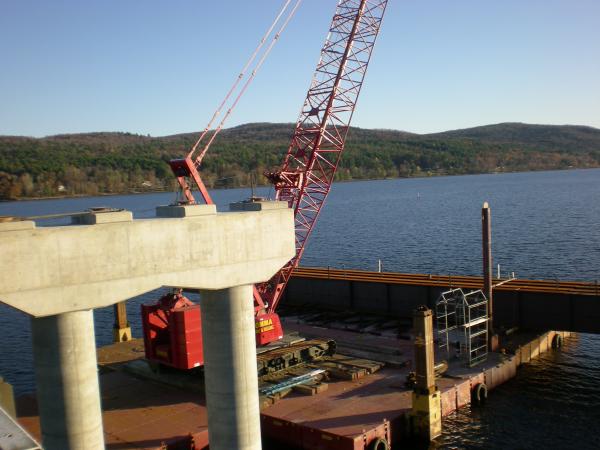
(161, 67)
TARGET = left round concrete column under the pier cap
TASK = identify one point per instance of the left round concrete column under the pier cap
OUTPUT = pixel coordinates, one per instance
(64, 350)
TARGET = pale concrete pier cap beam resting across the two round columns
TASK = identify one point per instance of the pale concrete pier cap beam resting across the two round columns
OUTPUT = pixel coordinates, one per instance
(51, 270)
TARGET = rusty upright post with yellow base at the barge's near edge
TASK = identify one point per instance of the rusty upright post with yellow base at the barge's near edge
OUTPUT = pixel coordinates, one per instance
(426, 398)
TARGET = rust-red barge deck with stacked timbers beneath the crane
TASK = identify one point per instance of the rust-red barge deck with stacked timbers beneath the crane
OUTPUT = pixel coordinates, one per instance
(143, 409)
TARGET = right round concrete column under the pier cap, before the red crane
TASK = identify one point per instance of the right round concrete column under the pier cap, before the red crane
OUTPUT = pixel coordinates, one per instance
(231, 381)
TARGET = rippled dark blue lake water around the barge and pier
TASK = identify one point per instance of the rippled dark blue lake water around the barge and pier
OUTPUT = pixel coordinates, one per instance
(544, 225)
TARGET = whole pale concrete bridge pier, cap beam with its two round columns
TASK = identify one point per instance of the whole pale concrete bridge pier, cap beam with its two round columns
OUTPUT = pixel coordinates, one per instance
(59, 275)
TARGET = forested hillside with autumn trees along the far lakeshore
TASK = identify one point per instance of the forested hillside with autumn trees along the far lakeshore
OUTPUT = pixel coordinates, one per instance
(95, 163)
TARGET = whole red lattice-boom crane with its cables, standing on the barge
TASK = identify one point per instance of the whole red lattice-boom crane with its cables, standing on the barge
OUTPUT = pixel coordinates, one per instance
(303, 180)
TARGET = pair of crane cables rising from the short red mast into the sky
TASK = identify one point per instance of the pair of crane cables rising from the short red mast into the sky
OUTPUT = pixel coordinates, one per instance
(242, 74)
